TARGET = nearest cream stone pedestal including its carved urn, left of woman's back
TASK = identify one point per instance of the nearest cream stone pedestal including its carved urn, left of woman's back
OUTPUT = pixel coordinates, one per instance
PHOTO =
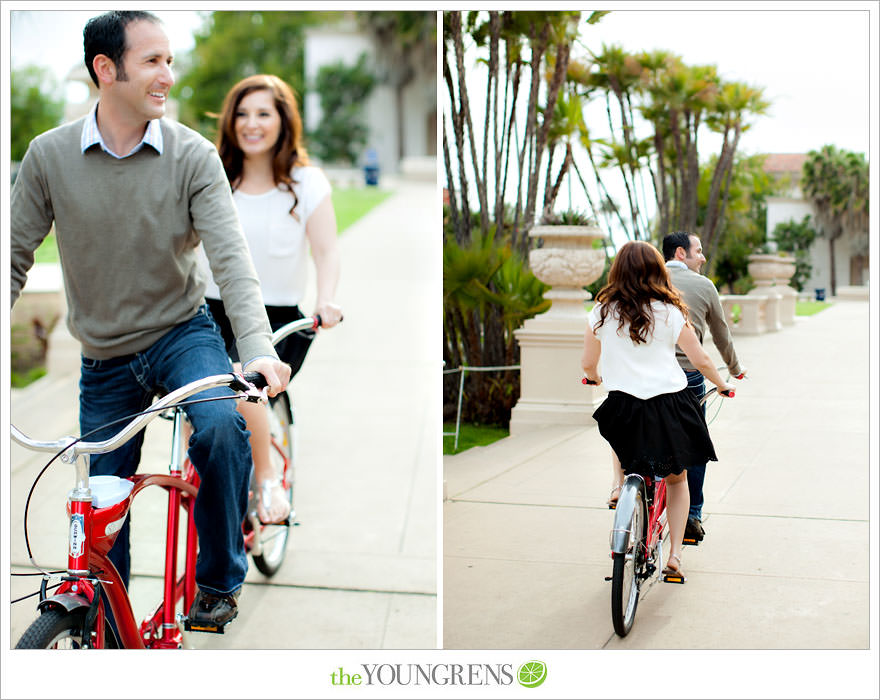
(551, 345)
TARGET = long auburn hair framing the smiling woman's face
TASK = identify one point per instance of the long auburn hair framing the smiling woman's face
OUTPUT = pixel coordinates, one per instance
(289, 150)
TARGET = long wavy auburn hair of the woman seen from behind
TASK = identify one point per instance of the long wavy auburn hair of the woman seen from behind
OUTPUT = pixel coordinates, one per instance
(637, 277)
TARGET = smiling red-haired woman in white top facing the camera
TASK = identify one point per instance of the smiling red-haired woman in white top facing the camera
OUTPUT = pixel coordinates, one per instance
(282, 201)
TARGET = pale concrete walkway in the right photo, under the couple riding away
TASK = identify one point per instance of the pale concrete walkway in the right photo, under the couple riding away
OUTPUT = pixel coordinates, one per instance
(785, 561)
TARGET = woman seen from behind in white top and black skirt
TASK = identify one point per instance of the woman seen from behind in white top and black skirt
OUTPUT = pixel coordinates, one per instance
(652, 422)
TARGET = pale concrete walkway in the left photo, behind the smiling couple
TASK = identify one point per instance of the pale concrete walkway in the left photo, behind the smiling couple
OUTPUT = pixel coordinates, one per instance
(360, 572)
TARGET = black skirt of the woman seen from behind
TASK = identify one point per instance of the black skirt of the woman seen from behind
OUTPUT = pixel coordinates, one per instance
(659, 436)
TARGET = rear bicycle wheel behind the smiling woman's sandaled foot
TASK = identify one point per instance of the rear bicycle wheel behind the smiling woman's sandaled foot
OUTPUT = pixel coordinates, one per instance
(274, 538)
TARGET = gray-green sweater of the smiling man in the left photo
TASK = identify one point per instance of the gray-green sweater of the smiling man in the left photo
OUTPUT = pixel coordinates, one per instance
(126, 231)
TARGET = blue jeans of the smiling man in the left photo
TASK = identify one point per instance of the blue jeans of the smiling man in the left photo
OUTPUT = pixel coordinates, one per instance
(219, 448)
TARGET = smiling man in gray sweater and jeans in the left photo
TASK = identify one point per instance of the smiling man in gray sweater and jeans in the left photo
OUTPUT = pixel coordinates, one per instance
(131, 194)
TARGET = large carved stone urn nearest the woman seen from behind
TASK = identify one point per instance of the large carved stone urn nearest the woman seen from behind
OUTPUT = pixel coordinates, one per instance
(567, 262)
